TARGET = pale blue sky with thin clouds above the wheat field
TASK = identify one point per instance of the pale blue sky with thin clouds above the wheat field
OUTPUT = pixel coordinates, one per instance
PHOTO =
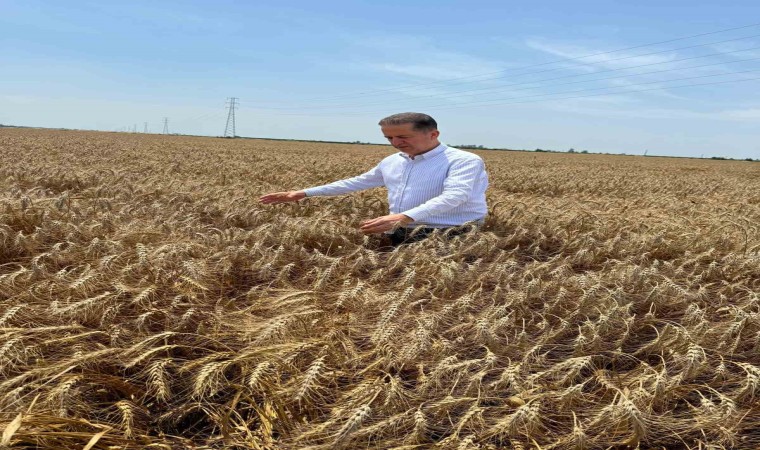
(493, 73)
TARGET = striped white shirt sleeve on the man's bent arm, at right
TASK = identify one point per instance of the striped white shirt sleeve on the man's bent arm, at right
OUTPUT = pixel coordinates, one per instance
(457, 189)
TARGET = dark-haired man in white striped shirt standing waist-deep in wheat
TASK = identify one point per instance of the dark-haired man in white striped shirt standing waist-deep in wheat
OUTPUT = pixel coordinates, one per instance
(430, 185)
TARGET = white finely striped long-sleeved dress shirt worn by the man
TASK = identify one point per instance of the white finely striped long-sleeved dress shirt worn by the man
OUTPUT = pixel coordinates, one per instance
(440, 188)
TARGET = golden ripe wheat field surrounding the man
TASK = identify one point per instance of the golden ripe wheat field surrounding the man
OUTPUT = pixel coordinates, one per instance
(149, 301)
